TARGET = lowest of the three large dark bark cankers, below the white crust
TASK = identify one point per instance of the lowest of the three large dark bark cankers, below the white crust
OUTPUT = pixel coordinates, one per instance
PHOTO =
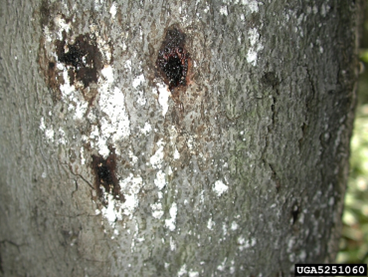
(105, 177)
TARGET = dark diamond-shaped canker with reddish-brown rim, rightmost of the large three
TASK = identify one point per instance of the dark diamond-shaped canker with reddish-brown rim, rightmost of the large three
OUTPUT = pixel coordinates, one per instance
(173, 59)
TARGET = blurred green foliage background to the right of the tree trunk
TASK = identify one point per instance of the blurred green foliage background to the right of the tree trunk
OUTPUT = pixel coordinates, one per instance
(354, 240)
